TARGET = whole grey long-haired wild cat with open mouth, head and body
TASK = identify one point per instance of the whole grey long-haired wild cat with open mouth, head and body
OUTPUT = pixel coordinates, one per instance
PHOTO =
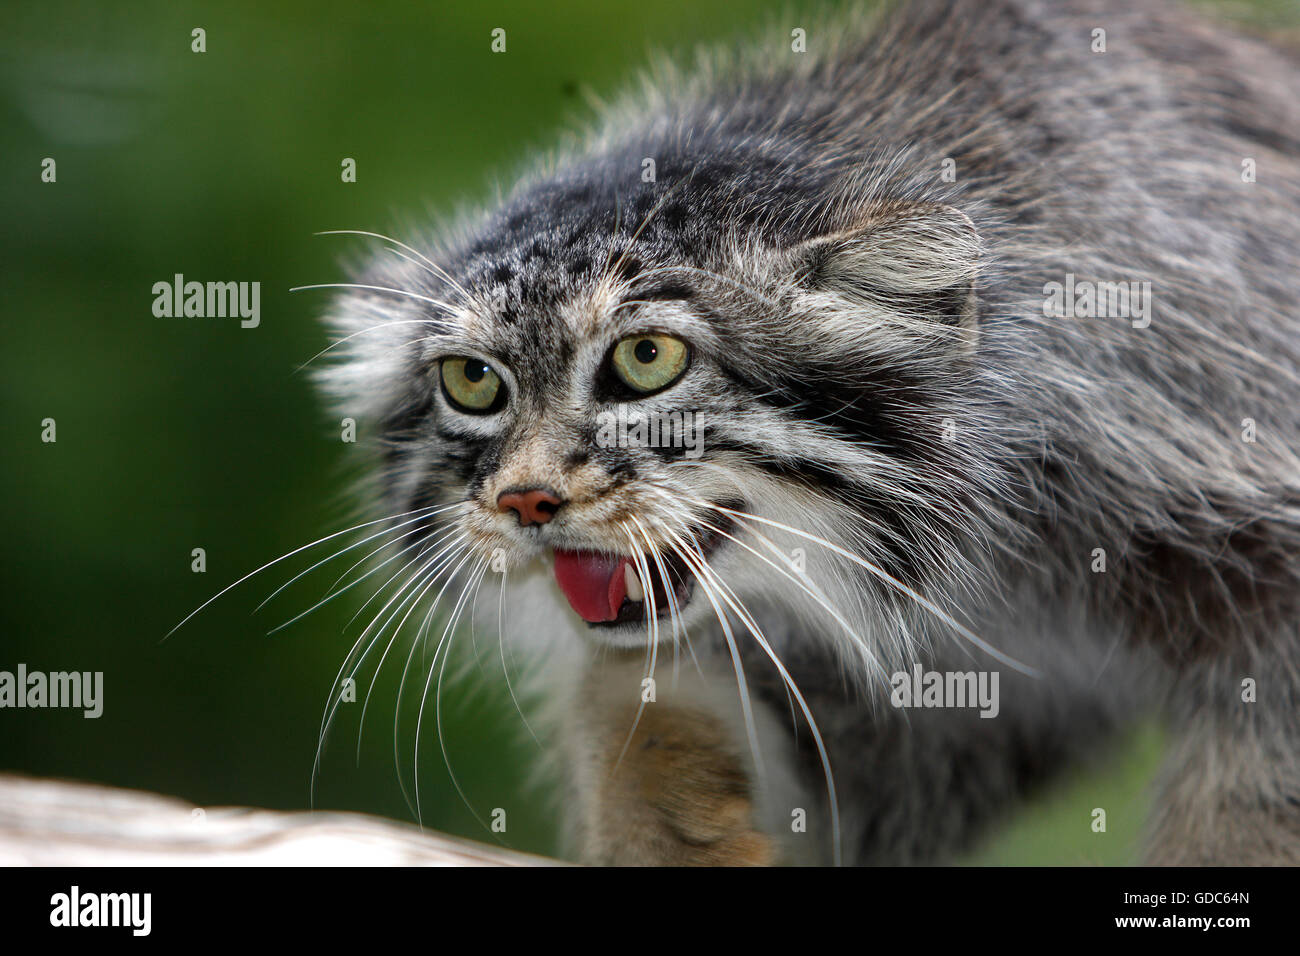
(1111, 501)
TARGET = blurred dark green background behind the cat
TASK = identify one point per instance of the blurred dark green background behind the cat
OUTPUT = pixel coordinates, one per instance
(181, 434)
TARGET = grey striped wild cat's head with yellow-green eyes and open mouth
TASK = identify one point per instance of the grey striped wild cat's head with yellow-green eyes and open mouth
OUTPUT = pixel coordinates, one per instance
(707, 392)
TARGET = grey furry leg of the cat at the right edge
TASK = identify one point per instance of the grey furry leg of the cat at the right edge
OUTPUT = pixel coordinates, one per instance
(1232, 786)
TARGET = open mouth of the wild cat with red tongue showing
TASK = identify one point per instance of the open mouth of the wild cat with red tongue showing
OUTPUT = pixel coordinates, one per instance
(610, 591)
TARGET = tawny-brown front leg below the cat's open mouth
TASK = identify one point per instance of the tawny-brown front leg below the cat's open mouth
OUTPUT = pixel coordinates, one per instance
(662, 773)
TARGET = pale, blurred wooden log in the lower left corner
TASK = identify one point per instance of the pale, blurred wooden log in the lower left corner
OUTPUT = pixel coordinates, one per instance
(59, 824)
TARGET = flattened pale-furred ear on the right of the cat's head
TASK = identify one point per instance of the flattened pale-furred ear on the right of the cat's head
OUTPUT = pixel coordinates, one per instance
(920, 258)
